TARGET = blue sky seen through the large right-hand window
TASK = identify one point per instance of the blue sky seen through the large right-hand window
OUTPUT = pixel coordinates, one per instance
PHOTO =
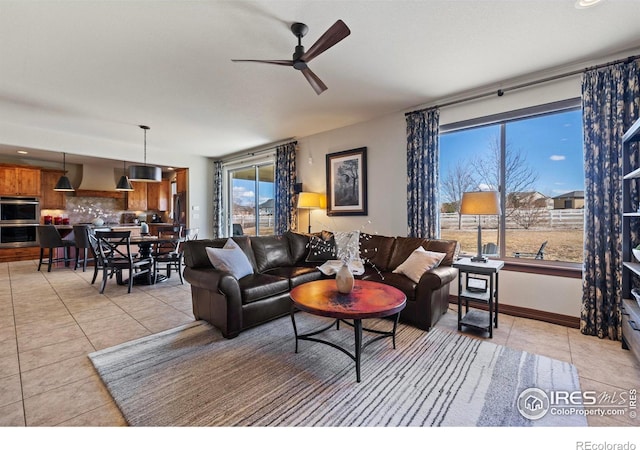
(552, 144)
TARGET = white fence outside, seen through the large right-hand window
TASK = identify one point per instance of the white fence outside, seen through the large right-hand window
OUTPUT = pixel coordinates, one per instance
(549, 218)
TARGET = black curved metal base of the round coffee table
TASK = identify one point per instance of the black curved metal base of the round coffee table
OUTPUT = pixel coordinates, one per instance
(358, 329)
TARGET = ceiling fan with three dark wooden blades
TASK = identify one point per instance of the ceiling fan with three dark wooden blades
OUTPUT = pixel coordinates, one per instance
(337, 32)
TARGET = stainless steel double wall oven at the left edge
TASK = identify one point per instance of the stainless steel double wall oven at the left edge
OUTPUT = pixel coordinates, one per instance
(19, 220)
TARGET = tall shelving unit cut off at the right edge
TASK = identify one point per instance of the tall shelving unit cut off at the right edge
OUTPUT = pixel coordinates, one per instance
(630, 221)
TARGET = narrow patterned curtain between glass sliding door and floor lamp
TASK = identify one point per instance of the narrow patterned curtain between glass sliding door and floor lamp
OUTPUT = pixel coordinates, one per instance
(285, 211)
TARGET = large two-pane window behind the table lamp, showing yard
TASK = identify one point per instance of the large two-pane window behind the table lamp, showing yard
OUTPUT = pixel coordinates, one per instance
(534, 158)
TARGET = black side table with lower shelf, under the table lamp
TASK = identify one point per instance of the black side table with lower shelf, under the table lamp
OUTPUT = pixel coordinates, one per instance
(476, 290)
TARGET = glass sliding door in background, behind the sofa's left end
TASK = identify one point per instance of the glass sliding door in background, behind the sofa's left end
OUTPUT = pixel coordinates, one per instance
(249, 198)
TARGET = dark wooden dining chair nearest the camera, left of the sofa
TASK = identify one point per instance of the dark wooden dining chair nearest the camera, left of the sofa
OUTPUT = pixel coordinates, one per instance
(114, 248)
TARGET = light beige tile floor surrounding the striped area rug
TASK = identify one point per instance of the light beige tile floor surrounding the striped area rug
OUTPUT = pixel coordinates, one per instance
(49, 322)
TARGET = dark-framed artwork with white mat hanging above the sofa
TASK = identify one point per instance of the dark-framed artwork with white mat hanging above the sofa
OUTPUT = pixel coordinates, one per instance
(347, 182)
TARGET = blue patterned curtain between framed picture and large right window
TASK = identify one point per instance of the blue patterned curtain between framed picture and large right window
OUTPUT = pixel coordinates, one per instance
(423, 218)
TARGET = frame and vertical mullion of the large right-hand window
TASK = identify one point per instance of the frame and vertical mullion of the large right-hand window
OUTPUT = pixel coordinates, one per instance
(545, 267)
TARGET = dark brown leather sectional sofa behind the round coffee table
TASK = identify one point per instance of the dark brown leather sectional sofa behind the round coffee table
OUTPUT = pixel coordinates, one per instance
(279, 264)
